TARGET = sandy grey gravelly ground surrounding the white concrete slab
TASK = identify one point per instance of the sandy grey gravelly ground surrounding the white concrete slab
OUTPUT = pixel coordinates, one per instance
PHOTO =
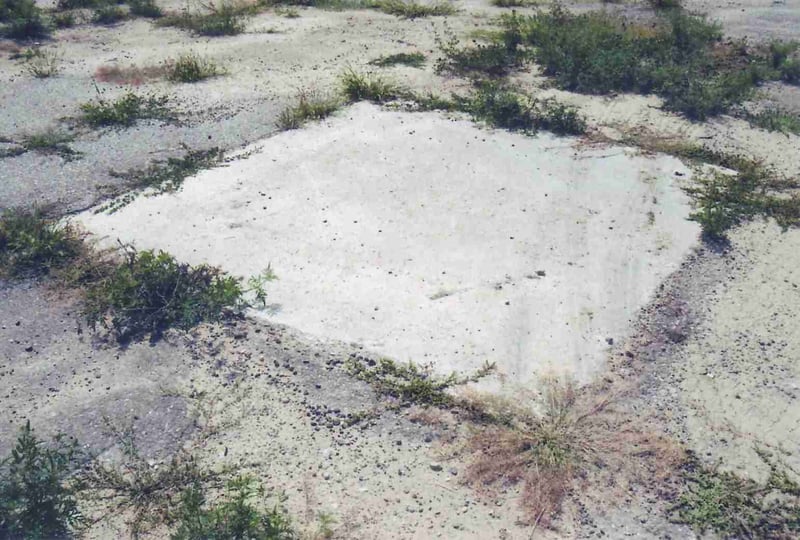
(712, 355)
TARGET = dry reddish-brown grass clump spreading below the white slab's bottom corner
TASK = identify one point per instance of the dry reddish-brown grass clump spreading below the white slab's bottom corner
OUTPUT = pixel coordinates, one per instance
(551, 451)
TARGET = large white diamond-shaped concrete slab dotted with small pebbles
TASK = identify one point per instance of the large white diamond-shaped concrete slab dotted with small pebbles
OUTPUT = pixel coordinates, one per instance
(429, 239)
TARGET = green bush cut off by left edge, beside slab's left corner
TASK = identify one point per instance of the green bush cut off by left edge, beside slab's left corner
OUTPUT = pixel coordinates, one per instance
(34, 245)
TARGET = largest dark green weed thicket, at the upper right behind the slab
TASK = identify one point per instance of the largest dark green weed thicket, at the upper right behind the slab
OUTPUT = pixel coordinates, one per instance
(681, 57)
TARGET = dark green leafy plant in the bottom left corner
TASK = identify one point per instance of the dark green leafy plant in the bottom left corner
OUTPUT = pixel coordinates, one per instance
(37, 490)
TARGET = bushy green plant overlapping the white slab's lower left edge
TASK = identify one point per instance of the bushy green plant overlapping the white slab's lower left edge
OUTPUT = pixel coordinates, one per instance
(150, 292)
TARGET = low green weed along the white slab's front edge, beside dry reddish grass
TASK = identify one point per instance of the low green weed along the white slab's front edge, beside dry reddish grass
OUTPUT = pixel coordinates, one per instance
(411, 383)
